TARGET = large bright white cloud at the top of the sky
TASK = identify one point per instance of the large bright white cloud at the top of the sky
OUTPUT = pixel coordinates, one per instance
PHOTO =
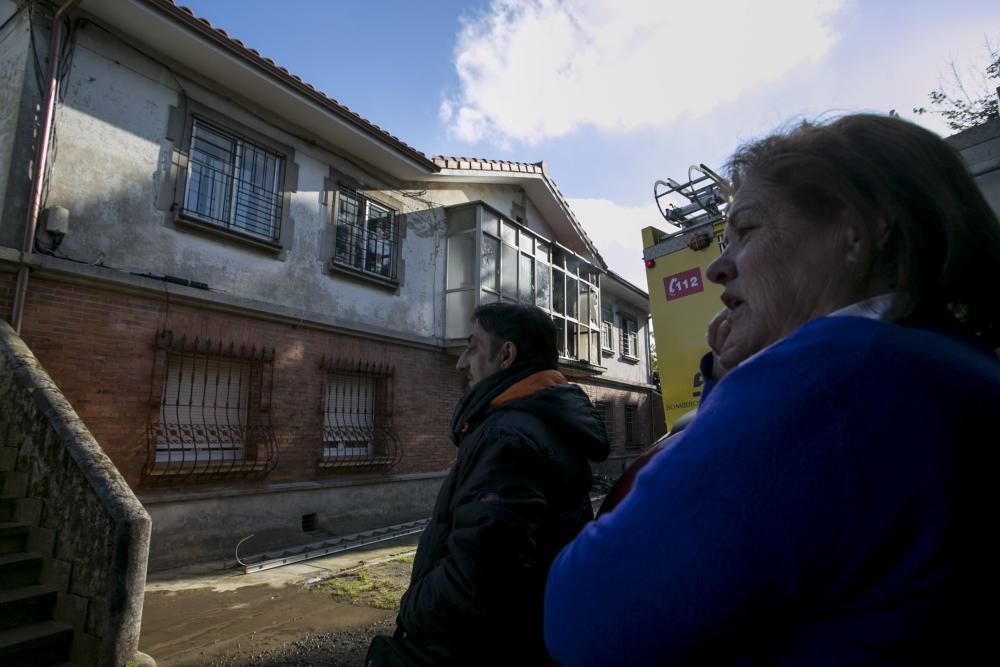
(535, 69)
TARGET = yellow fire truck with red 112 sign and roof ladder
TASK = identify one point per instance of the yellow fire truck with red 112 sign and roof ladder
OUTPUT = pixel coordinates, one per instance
(681, 299)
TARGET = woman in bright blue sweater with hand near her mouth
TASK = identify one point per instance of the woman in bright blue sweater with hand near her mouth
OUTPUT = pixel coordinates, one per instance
(832, 501)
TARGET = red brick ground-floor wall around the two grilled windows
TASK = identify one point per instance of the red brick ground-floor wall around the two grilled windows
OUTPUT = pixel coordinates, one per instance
(98, 347)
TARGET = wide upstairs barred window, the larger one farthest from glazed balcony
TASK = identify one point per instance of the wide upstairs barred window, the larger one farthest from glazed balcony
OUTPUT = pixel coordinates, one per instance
(233, 182)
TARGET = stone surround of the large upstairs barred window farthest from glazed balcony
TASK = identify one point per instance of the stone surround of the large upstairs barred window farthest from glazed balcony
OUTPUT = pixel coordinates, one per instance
(173, 196)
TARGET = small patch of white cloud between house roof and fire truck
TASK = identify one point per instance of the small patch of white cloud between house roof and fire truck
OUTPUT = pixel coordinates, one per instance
(617, 232)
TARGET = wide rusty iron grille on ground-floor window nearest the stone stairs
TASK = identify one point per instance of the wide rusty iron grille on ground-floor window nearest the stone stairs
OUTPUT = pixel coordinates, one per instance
(209, 411)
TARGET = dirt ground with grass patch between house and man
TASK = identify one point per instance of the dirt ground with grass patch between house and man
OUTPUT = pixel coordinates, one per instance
(320, 612)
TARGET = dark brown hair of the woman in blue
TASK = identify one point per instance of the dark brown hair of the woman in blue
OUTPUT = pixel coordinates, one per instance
(942, 254)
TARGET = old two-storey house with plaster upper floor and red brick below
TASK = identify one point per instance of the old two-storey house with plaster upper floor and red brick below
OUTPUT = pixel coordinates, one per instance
(254, 297)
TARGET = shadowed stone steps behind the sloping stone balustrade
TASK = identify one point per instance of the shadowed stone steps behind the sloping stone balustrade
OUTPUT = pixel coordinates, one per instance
(28, 635)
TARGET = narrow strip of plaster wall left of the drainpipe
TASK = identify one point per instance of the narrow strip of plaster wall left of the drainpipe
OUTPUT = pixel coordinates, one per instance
(15, 147)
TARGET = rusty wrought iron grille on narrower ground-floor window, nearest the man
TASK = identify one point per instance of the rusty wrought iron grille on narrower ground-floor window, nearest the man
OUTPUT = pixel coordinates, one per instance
(356, 408)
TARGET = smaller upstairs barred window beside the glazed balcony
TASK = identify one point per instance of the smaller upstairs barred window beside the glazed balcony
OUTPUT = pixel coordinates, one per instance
(366, 235)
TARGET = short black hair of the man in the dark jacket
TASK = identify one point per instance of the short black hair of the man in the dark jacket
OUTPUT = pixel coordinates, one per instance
(529, 328)
